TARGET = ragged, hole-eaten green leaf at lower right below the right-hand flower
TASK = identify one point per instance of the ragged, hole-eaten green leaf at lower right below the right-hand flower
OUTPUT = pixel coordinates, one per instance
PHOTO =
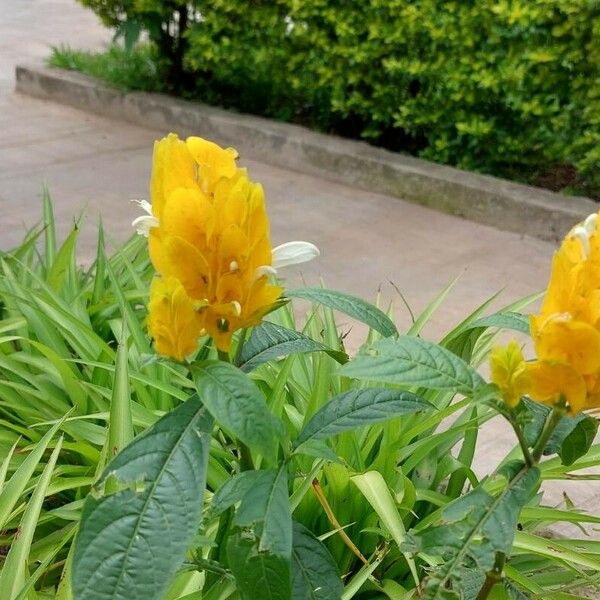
(472, 529)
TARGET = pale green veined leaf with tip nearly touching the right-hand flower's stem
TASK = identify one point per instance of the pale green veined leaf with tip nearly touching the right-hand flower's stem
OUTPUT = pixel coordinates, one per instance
(413, 361)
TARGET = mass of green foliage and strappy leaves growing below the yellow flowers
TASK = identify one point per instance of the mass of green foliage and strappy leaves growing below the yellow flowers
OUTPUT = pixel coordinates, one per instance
(309, 483)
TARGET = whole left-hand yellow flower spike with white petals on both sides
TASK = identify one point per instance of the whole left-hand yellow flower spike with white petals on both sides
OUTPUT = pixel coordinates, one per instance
(208, 234)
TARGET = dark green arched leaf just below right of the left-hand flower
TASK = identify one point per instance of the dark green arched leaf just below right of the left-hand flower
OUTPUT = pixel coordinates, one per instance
(273, 342)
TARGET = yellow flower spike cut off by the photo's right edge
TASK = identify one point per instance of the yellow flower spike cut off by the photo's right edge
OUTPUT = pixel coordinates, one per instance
(566, 332)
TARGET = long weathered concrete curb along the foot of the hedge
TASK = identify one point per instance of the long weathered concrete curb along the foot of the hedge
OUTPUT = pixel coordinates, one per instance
(489, 200)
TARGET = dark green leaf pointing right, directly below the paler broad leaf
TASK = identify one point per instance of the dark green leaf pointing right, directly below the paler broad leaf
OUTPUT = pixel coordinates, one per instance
(357, 408)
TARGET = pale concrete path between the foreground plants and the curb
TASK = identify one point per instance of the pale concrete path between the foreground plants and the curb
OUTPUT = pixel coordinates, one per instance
(367, 240)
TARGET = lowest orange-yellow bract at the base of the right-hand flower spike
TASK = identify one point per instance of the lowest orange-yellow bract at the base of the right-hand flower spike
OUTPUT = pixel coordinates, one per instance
(552, 382)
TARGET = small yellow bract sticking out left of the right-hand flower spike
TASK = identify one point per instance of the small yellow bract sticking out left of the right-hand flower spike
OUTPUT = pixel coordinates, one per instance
(509, 372)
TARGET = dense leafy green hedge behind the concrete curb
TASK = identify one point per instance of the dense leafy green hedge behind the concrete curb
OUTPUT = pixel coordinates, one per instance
(500, 86)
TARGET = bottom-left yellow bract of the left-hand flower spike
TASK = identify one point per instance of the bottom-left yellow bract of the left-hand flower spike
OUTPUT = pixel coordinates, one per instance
(173, 322)
